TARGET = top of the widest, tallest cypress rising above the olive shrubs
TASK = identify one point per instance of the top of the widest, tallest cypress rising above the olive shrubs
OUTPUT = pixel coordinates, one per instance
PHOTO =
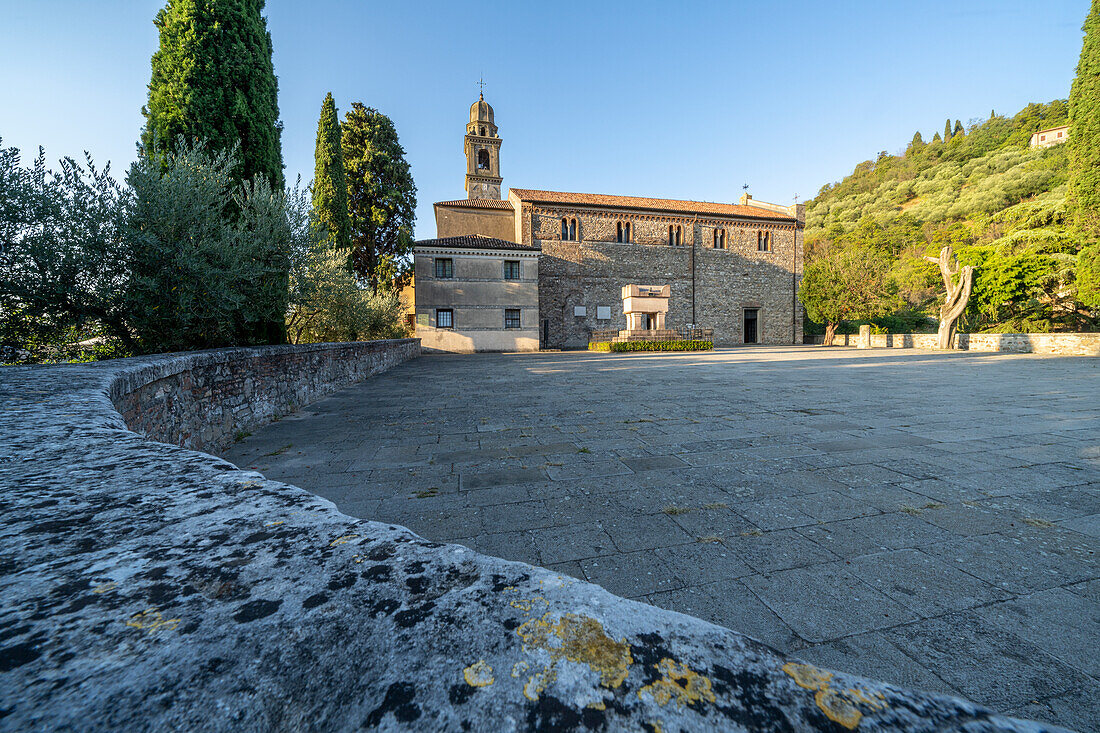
(214, 80)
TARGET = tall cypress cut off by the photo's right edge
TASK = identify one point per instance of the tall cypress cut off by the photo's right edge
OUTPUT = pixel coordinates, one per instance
(1084, 144)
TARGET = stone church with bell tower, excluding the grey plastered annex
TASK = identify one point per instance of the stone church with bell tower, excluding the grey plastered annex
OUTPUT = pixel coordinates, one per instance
(732, 268)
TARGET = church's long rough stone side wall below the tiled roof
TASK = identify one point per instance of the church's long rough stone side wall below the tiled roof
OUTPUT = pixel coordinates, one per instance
(592, 271)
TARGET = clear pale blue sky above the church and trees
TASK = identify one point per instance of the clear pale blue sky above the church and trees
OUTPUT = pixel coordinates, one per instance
(669, 100)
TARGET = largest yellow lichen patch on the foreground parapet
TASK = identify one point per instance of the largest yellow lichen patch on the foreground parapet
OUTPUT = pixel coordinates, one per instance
(581, 640)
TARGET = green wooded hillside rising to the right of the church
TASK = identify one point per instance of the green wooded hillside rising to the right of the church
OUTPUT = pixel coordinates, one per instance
(985, 192)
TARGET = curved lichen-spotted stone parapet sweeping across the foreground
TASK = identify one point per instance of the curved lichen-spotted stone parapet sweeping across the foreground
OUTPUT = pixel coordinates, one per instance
(148, 587)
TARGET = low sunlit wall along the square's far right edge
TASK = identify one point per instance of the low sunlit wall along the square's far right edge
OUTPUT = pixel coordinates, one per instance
(1069, 345)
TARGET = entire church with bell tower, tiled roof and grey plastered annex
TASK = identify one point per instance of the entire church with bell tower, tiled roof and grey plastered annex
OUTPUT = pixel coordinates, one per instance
(731, 268)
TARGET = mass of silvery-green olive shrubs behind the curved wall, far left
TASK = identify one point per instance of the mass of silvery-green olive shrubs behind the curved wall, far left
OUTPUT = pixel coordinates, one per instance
(183, 259)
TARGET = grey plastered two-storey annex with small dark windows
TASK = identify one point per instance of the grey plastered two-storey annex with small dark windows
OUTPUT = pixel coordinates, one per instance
(478, 290)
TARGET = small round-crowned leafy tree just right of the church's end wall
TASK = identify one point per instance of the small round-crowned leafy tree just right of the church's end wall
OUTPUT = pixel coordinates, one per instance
(846, 283)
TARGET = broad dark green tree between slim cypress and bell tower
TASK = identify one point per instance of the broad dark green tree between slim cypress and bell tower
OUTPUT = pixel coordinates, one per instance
(381, 199)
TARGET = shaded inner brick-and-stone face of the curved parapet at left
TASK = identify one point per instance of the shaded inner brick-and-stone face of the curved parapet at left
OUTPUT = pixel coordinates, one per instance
(203, 400)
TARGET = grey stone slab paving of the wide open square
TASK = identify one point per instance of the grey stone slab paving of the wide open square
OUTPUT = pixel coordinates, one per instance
(930, 520)
